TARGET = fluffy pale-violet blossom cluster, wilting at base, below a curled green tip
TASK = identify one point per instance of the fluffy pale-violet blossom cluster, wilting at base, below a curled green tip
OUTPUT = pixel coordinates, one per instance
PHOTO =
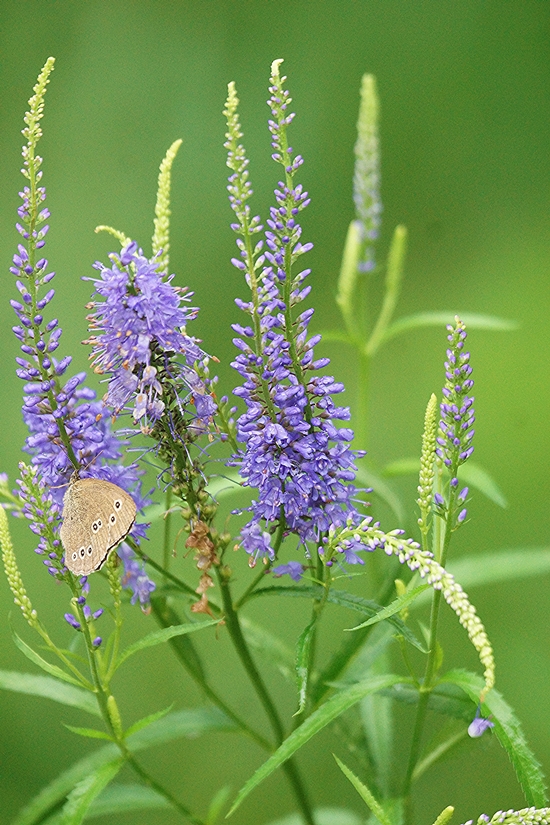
(140, 342)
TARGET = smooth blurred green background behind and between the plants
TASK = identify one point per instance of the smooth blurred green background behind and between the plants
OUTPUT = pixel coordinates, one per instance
(465, 99)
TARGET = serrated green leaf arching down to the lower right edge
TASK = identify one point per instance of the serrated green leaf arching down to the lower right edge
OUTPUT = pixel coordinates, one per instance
(510, 735)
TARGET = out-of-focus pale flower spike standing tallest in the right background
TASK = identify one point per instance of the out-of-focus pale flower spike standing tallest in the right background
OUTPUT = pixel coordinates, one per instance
(366, 177)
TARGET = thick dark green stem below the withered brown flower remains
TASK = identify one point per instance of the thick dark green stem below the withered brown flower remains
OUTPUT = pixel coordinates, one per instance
(241, 647)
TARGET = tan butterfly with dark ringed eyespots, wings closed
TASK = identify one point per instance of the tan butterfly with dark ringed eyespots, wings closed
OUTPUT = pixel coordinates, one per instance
(97, 515)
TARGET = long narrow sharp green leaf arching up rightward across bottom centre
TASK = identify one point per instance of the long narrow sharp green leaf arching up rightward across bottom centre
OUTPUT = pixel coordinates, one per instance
(318, 720)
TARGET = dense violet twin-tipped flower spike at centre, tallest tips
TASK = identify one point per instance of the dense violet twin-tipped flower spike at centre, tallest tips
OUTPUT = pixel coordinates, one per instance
(300, 463)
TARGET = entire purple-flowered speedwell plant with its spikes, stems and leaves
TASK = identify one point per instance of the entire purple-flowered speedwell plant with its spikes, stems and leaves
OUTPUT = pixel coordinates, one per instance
(306, 530)
